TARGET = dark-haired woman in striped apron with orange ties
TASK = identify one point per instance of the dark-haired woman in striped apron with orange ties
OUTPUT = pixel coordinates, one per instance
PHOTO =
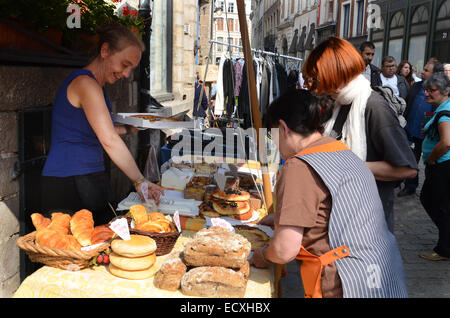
(328, 213)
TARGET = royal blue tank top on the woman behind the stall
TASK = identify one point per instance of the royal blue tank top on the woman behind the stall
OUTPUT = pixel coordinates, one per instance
(75, 148)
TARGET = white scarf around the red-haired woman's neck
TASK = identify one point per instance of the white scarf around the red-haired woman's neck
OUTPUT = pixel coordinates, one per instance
(355, 94)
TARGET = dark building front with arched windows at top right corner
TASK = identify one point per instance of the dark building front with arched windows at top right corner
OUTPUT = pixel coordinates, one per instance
(413, 30)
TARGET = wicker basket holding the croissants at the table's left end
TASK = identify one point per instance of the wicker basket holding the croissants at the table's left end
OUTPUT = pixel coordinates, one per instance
(59, 258)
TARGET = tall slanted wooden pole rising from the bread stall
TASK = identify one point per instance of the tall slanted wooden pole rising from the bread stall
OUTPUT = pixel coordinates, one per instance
(257, 122)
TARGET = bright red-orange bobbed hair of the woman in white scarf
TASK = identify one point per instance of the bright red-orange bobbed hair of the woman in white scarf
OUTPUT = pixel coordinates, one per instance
(331, 65)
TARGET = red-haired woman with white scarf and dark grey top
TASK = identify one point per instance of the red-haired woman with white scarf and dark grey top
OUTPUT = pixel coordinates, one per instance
(361, 118)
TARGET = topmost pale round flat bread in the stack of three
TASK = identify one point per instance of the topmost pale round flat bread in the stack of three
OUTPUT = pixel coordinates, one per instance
(136, 246)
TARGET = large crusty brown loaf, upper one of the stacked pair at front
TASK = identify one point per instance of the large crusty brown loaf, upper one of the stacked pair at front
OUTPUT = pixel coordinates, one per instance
(216, 246)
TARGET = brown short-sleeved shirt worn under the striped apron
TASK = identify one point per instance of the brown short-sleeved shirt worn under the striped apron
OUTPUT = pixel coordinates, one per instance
(303, 200)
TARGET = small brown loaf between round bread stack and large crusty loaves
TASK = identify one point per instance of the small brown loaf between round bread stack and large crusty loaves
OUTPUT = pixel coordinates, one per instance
(171, 272)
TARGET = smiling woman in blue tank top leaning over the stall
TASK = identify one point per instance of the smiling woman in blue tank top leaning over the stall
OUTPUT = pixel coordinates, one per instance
(74, 175)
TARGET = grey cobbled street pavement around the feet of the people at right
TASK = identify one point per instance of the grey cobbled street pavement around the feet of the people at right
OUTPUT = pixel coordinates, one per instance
(415, 232)
